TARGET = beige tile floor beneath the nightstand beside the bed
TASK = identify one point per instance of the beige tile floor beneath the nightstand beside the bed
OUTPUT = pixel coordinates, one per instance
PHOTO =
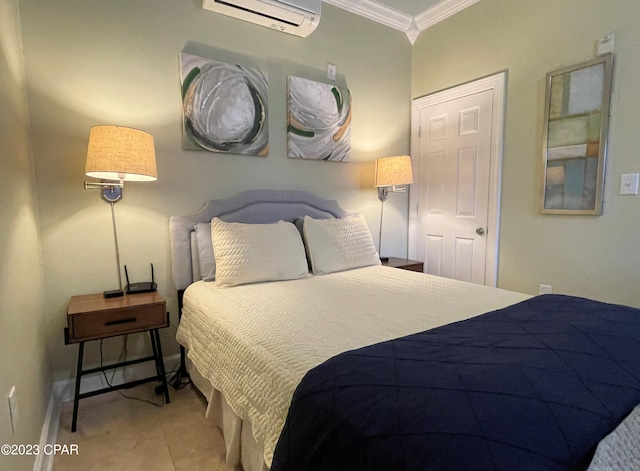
(115, 433)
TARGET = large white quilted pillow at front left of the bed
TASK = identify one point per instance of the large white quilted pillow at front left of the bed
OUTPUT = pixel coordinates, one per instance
(250, 253)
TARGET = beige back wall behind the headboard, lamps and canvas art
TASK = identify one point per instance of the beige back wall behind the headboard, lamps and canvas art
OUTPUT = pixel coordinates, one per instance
(92, 62)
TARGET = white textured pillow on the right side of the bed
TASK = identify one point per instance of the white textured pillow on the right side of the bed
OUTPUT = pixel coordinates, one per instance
(339, 244)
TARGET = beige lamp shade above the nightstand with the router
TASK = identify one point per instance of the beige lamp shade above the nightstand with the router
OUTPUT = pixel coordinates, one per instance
(121, 153)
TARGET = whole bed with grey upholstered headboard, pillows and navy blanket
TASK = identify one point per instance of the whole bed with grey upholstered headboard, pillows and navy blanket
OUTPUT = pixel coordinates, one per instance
(273, 343)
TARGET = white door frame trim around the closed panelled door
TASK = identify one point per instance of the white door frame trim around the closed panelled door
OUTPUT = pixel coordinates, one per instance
(497, 83)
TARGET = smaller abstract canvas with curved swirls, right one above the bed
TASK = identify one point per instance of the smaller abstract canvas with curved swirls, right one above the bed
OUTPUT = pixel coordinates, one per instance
(319, 121)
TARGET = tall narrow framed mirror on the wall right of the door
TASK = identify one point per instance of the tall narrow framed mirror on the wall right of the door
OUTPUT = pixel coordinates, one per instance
(575, 137)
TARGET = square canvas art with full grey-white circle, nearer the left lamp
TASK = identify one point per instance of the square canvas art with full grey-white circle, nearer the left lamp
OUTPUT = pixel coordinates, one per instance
(224, 107)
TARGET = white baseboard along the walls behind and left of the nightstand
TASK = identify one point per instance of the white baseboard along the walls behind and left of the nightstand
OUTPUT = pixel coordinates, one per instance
(63, 391)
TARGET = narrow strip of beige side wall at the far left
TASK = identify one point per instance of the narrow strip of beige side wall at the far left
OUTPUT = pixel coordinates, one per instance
(23, 320)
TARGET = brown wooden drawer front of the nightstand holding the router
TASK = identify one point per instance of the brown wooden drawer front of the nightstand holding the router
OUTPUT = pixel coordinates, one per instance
(118, 322)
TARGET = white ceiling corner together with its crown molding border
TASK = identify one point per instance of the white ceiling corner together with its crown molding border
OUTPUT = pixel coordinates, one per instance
(409, 16)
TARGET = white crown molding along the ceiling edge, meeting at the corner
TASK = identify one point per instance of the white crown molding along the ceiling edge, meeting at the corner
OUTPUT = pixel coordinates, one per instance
(411, 26)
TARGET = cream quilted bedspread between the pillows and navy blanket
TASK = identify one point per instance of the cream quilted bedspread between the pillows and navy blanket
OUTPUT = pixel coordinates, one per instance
(255, 342)
